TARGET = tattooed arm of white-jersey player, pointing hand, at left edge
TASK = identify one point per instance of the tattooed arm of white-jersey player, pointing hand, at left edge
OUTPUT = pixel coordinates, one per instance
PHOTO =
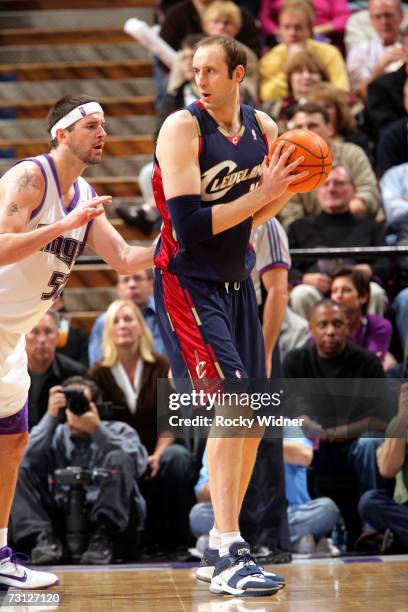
(21, 192)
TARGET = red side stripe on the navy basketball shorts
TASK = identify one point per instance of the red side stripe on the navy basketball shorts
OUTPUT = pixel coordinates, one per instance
(198, 357)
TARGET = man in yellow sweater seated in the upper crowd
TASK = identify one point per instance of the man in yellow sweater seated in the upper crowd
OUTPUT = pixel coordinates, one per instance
(296, 21)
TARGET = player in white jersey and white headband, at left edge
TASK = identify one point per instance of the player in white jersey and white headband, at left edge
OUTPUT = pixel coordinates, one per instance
(47, 214)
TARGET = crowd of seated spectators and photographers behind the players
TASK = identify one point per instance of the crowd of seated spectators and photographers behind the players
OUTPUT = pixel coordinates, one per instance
(339, 69)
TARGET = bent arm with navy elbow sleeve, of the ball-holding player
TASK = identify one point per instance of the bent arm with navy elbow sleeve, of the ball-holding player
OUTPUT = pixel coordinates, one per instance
(178, 156)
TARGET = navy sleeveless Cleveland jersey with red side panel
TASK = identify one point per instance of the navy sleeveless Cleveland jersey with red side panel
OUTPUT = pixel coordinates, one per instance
(230, 167)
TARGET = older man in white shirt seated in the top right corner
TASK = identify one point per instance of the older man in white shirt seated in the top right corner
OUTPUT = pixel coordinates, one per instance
(370, 58)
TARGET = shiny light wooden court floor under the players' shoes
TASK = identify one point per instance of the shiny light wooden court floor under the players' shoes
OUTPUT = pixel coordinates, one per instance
(319, 586)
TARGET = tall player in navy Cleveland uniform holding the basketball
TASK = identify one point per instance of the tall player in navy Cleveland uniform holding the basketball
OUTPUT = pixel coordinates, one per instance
(212, 186)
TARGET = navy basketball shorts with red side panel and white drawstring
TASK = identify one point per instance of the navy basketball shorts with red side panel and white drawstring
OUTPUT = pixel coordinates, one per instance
(210, 330)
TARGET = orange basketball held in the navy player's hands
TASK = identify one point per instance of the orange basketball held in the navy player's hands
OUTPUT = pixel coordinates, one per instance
(318, 158)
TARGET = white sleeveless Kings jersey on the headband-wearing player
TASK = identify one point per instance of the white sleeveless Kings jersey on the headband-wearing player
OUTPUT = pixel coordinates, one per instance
(28, 287)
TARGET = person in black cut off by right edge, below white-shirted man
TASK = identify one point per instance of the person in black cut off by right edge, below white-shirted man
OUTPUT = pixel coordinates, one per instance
(385, 96)
